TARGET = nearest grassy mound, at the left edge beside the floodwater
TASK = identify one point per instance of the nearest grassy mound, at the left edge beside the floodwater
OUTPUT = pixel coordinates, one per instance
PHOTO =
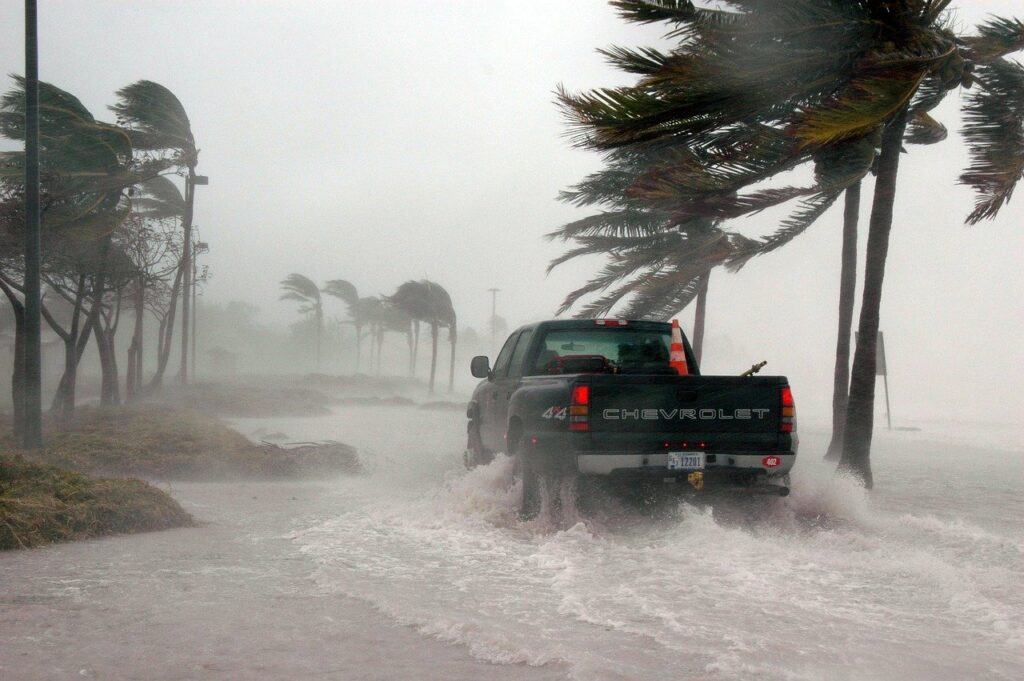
(42, 504)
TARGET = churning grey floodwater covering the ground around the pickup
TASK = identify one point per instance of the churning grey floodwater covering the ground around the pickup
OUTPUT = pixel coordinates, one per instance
(420, 570)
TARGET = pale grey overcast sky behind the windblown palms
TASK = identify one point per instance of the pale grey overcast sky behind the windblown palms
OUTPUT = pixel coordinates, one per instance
(385, 142)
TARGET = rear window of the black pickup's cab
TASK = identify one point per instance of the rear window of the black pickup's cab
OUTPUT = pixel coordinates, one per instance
(604, 352)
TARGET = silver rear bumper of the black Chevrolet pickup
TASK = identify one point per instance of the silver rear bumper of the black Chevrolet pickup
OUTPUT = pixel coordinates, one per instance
(658, 463)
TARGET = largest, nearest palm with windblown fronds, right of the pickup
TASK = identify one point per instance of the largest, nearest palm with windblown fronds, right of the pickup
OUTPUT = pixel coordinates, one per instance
(821, 74)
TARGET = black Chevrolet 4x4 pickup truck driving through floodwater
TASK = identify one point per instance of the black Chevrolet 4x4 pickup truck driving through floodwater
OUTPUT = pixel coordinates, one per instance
(601, 398)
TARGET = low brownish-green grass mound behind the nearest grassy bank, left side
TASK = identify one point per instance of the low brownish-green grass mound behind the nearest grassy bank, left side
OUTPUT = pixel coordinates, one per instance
(163, 443)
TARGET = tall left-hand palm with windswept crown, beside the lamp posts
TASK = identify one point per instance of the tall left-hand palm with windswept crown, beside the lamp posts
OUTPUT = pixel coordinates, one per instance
(158, 123)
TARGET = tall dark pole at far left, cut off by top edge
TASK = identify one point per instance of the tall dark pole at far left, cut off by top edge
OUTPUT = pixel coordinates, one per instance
(33, 435)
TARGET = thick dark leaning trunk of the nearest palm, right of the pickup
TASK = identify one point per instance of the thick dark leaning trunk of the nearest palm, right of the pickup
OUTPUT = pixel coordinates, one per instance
(861, 409)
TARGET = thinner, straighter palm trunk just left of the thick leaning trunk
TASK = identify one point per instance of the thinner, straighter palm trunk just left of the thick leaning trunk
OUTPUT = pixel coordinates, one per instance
(847, 293)
